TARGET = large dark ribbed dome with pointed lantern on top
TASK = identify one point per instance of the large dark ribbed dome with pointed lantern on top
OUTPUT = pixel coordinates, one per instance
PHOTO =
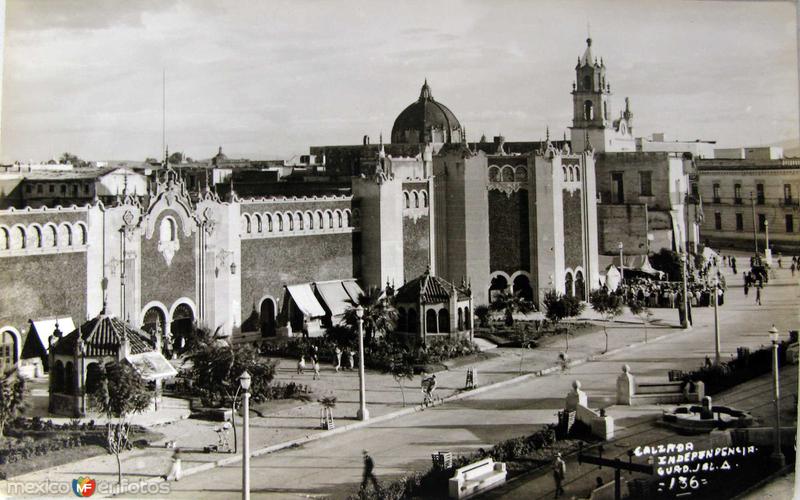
(426, 121)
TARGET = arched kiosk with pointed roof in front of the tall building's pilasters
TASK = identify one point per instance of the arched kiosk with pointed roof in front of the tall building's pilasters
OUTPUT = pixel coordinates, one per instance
(429, 307)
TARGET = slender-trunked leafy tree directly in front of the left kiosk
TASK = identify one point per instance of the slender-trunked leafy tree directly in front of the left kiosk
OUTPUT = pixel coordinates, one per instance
(120, 393)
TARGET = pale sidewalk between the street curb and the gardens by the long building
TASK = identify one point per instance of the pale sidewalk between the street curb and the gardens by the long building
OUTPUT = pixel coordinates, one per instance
(292, 422)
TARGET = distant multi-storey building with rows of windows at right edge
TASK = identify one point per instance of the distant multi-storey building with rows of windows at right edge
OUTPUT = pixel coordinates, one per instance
(755, 189)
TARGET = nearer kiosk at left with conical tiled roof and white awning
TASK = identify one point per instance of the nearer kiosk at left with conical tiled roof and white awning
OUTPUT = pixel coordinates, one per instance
(76, 360)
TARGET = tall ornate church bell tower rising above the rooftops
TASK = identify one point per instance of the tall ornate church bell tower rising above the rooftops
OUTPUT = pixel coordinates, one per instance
(591, 114)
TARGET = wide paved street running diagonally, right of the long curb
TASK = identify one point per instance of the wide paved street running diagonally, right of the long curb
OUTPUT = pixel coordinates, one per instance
(333, 466)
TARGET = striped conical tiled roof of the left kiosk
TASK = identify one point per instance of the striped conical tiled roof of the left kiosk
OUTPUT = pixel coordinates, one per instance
(102, 336)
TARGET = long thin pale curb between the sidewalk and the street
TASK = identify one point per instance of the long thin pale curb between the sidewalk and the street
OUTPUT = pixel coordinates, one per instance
(388, 416)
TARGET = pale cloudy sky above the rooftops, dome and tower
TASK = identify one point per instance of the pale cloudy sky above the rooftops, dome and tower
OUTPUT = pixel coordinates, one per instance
(270, 78)
